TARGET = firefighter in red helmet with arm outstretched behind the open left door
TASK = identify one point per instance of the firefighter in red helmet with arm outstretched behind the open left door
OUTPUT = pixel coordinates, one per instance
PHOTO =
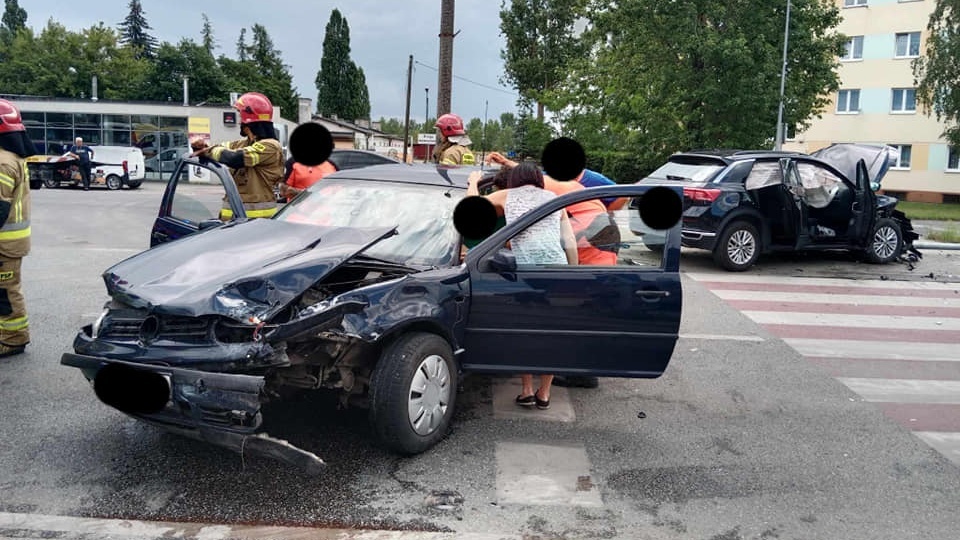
(255, 161)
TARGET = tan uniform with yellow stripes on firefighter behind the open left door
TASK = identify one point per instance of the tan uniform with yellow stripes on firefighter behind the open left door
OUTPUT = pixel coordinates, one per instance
(262, 171)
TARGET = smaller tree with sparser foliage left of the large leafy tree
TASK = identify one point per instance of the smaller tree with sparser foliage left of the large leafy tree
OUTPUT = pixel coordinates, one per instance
(540, 44)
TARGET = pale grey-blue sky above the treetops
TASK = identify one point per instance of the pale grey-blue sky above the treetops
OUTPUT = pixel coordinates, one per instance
(383, 35)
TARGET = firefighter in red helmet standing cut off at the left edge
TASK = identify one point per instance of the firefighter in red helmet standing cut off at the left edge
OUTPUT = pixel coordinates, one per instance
(15, 147)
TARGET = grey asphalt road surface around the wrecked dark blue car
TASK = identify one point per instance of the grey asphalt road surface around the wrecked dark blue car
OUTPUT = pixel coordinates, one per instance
(739, 439)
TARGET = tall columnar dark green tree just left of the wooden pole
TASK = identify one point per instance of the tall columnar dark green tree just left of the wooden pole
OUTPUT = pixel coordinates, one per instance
(341, 85)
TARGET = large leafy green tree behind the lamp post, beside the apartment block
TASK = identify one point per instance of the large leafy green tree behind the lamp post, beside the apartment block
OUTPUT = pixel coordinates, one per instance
(670, 76)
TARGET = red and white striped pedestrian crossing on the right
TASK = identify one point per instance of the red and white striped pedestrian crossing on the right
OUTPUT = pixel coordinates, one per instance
(894, 343)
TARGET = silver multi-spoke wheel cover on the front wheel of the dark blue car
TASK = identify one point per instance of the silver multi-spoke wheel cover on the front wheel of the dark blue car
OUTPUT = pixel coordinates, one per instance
(430, 393)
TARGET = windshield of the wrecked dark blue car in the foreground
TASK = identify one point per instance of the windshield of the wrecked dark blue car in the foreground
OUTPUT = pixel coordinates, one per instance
(422, 214)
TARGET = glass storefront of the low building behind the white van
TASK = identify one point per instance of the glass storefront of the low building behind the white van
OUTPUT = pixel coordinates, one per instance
(156, 136)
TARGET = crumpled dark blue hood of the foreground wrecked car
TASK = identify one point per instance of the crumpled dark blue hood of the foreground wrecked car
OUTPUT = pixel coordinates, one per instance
(249, 269)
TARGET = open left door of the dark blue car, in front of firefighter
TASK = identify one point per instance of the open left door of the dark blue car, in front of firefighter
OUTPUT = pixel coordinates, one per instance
(189, 206)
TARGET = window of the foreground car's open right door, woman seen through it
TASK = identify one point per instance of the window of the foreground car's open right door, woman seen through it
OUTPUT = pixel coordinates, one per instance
(600, 237)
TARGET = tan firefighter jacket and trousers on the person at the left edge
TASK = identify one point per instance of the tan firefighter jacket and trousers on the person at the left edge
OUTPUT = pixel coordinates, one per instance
(14, 245)
